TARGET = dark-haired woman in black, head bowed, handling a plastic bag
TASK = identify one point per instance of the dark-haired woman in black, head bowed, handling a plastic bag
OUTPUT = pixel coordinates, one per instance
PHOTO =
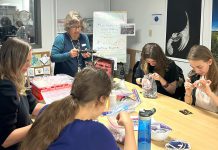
(164, 71)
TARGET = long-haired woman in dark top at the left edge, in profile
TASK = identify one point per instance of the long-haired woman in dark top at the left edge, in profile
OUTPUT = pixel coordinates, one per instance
(16, 102)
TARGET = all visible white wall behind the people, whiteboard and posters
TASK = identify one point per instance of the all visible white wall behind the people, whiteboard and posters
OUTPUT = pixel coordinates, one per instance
(138, 13)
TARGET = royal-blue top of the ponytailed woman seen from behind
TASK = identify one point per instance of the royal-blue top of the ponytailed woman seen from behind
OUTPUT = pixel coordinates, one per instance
(85, 135)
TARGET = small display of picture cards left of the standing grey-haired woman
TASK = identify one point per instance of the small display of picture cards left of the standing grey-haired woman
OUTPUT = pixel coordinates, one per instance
(40, 65)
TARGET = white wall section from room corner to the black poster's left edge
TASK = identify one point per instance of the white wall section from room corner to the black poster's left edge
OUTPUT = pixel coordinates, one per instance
(140, 14)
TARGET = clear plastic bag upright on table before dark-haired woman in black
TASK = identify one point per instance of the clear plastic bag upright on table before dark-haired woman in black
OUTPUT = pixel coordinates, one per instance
(149, 87)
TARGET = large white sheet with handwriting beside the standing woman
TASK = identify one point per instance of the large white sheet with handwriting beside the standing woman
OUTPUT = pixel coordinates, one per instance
(107, 40)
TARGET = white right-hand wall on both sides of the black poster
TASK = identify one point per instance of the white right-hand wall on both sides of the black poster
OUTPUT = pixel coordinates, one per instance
(141, 12)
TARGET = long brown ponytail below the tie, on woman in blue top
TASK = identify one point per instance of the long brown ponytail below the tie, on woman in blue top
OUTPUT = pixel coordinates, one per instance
(50, 123)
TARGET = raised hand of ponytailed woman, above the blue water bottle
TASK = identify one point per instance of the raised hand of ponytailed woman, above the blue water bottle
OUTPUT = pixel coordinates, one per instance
(123, 119)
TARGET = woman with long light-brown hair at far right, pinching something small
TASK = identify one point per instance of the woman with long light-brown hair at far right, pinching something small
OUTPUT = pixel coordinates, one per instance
(202, 85)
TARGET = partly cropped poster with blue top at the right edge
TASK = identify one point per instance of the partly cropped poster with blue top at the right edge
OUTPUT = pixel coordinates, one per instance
(214, 38)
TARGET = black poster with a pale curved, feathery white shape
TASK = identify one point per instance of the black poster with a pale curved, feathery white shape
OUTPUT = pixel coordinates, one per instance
(183, 27)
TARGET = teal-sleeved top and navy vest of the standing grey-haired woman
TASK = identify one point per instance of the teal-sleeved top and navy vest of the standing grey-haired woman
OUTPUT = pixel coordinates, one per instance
(60, 54)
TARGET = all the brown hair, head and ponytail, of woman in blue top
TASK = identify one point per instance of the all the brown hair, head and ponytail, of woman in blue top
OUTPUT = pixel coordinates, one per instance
(89, 85)
